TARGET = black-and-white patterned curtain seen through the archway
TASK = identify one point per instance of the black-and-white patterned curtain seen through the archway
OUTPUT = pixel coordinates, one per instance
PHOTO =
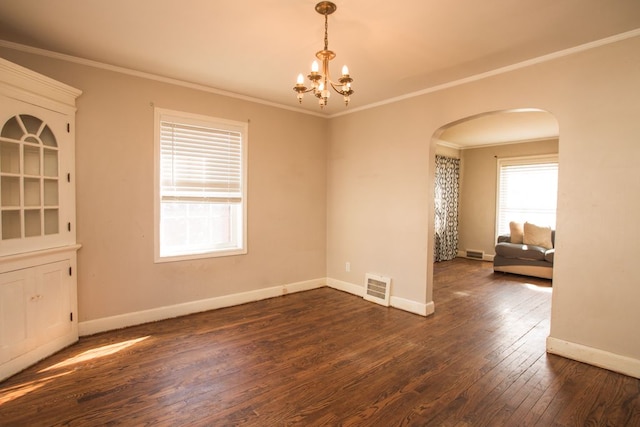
(446, 208)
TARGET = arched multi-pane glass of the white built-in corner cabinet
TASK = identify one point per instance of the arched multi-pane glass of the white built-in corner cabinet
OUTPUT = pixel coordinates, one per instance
(29, 179)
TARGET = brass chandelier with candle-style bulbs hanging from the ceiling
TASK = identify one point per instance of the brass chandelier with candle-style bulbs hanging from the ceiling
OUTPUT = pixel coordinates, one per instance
(321, 81)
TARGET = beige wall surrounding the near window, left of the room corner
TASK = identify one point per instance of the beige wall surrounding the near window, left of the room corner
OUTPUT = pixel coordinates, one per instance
(114, 166)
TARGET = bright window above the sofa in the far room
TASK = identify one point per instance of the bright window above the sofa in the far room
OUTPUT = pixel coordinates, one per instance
(527, 191)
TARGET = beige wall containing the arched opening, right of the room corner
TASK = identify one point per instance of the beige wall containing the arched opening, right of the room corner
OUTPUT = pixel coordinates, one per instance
(380, 183)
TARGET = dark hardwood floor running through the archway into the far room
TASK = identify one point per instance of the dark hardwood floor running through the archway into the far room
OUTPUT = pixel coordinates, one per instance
(324, 357)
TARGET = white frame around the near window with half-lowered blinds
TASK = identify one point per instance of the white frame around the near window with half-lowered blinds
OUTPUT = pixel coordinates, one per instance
(162, 114)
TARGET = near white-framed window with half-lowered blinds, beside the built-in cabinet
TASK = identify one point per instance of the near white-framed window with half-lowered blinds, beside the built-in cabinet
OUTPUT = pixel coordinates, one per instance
(200, 192)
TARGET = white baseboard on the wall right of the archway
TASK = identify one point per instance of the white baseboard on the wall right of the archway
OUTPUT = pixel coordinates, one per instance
(593, 356)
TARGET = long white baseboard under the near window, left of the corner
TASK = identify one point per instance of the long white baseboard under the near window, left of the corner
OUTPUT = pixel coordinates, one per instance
(130, 319)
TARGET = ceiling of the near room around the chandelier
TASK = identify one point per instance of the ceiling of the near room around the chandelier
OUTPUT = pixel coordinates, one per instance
(257, 48)
